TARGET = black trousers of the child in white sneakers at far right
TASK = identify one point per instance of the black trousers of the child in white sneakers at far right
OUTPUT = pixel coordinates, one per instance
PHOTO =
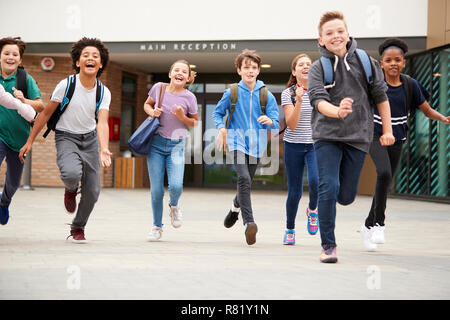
(386, 160)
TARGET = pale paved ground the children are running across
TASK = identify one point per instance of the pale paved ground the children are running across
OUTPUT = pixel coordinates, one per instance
(203, 260)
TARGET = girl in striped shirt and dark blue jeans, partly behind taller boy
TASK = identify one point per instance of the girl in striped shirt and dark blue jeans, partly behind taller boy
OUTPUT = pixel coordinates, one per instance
(299, 148)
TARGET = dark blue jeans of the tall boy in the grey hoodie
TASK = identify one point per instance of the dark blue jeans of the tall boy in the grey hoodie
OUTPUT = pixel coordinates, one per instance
(339, 167)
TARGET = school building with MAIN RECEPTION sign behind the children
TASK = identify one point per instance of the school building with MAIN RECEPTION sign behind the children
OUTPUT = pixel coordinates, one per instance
(145, 38)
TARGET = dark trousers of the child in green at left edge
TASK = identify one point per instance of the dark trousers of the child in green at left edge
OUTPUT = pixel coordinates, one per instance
(14, 169)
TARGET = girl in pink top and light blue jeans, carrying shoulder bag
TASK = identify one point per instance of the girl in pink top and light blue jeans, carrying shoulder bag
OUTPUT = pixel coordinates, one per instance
(176, 112)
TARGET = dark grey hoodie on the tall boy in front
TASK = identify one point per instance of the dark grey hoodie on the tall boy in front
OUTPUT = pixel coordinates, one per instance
(357, 128)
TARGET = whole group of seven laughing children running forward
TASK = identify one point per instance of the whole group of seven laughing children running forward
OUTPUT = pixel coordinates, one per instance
(337, 109)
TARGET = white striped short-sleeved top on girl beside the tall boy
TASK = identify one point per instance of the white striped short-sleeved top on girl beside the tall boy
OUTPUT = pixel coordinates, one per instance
(303, 132)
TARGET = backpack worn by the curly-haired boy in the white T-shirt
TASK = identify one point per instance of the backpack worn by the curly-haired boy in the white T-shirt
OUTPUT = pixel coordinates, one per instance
(70, 89)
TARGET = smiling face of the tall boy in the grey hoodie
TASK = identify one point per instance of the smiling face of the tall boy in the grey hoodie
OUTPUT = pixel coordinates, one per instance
(334, 36)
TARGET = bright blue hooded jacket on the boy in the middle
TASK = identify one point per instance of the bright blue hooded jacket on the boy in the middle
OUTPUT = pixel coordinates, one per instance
(244, 132)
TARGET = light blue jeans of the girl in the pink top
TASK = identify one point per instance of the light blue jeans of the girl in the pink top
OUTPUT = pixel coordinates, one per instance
(165, 155)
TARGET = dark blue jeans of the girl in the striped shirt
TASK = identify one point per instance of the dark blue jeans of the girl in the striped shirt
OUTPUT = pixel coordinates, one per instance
(296, 156)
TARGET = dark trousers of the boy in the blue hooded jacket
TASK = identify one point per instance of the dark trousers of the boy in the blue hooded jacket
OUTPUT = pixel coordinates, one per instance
(245, 167)
